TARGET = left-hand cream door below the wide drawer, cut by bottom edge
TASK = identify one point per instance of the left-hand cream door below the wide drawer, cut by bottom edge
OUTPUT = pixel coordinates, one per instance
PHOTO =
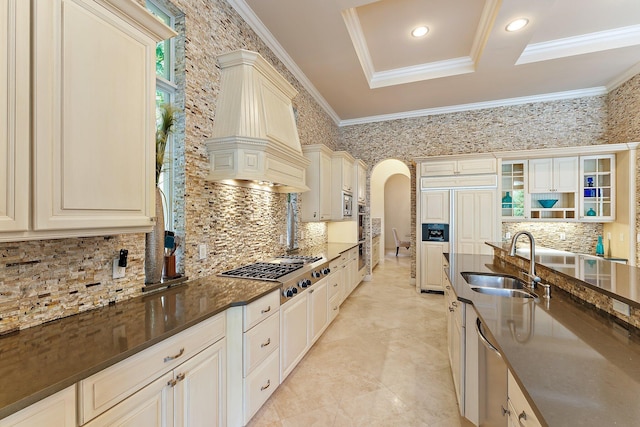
(151, 406)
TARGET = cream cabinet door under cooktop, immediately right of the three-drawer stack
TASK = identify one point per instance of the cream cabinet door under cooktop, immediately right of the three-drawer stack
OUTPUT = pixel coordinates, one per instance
(293, 334)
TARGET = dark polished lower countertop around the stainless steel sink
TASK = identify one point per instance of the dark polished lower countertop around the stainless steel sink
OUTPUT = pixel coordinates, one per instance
(577, 367)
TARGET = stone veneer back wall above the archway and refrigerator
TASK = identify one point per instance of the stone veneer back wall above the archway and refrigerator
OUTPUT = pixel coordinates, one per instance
(550, 124)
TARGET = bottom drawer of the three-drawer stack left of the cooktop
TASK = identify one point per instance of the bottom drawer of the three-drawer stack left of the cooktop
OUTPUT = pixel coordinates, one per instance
(260, 384)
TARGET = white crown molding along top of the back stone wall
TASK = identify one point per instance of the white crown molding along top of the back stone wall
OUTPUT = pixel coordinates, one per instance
(581, 93)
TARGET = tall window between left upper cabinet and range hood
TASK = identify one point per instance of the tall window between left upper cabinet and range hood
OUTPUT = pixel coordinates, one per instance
(166, 89)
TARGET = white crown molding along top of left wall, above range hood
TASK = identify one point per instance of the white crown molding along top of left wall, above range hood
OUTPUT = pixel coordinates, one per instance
(243, 9)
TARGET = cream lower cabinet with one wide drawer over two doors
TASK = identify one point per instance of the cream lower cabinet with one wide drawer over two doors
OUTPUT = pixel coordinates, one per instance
(177, 382)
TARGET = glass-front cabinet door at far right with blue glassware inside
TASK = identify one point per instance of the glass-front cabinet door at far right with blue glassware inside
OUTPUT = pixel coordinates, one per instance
(597, 183)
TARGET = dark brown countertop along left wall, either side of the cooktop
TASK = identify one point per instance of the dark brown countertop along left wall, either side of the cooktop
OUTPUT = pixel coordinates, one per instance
(40, 361)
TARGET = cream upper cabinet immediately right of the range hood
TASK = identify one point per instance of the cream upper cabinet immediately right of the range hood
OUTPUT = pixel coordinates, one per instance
(316, 203)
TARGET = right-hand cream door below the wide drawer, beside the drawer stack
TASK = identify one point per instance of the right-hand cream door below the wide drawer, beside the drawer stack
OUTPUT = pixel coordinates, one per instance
(199, 398)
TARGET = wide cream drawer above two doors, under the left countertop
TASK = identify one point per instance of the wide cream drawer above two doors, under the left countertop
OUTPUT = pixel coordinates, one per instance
(105, 389)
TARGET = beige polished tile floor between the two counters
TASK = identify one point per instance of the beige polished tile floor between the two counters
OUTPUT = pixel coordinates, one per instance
(382, 362)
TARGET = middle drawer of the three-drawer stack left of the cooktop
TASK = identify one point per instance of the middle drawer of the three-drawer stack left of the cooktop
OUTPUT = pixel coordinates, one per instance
(260, 341)
